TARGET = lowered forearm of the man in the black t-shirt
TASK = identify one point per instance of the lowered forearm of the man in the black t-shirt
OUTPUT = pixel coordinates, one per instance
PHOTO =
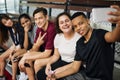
(66, 70)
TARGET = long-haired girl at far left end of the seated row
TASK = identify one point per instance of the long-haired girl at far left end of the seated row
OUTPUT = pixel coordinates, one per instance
(8, 27)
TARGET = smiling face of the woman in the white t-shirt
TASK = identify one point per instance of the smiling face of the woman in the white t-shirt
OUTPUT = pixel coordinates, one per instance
(65, 24)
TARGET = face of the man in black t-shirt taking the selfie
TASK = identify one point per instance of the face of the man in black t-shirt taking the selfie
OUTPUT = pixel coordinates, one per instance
(81, 25)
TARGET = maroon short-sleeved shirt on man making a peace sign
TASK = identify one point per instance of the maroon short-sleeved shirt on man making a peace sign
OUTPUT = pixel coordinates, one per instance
(49, 37)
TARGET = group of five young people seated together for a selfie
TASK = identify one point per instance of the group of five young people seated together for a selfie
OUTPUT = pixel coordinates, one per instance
(69, 49)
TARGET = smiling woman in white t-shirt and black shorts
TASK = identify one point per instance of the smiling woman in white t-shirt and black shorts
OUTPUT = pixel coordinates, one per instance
(64, 45)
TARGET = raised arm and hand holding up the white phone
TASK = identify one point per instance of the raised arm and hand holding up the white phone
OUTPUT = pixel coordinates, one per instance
(115, 34)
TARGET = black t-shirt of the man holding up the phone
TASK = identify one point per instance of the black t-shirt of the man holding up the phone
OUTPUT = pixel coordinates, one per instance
(97, 55)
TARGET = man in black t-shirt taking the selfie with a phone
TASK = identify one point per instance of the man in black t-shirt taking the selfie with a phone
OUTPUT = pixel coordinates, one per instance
(93, 49)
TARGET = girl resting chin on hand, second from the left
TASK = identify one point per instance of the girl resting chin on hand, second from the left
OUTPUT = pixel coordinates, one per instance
(27, 34)
